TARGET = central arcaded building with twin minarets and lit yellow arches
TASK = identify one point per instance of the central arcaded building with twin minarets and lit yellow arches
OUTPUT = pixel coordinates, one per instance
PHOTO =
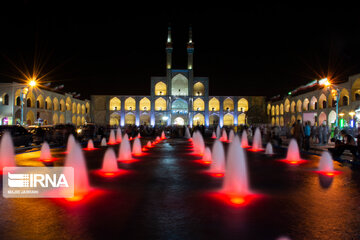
(178, 98)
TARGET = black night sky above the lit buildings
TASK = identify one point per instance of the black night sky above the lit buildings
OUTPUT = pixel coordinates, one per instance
(244, 50)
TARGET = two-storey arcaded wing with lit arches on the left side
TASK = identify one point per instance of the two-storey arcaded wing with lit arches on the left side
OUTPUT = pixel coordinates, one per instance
(41, 106)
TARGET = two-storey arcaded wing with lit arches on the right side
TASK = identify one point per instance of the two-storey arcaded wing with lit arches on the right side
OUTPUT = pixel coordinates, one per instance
(317, 104)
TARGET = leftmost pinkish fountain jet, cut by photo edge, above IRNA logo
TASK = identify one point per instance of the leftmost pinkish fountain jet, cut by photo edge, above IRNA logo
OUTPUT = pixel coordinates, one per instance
(7, 156)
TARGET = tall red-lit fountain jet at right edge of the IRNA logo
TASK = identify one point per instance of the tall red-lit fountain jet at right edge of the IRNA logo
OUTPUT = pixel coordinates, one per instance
(75, 159)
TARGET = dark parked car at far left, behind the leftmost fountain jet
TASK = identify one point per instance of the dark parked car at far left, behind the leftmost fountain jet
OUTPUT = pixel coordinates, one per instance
(19, 135)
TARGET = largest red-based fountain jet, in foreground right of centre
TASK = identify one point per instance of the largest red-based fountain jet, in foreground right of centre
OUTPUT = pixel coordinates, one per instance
(236, 183)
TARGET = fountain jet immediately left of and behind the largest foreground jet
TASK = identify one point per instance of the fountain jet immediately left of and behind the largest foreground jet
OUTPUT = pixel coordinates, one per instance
(217, 167)
